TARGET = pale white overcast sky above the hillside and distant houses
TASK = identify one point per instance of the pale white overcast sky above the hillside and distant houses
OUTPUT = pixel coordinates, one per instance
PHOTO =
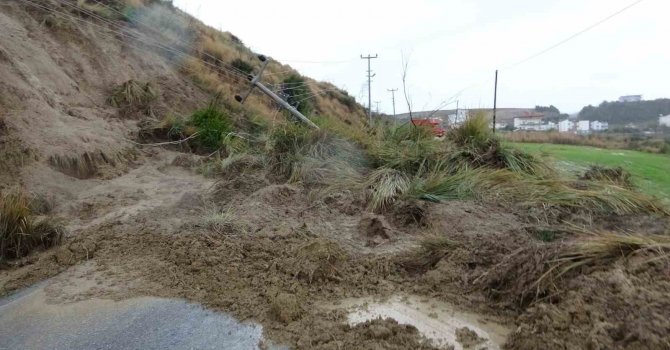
(453, 45)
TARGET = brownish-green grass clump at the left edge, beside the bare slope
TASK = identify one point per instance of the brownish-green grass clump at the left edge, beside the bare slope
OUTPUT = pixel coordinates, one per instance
(20, 232)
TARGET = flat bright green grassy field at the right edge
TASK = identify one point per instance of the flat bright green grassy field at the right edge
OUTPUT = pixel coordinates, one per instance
(651, 171)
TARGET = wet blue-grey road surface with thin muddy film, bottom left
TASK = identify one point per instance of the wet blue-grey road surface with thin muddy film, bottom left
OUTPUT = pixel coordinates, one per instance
(29, 320)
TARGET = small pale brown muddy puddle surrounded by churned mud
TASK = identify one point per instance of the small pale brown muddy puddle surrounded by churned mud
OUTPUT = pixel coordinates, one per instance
(441, 322)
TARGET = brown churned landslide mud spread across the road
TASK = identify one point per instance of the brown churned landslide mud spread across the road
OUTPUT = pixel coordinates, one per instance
(278, 256)
